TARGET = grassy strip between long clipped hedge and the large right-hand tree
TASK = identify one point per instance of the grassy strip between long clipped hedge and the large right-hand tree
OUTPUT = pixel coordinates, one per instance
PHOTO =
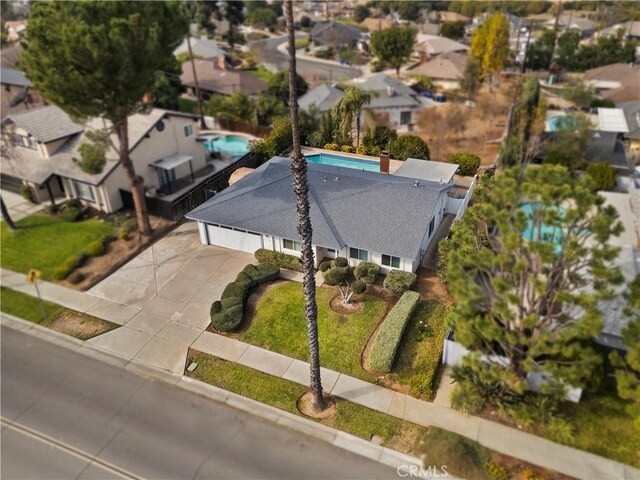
(419, 359)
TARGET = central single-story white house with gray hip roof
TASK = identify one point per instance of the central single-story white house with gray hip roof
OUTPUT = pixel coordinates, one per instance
(363, 216)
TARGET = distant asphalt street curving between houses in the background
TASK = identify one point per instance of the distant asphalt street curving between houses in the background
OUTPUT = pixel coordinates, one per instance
(315, 72)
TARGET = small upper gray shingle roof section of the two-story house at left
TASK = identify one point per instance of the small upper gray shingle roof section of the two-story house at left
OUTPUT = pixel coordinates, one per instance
(46, 123)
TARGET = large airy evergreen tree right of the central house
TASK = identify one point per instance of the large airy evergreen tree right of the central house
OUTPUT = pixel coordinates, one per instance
(526, 300)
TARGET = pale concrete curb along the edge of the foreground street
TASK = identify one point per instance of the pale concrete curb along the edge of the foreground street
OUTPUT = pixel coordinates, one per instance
(310, 428)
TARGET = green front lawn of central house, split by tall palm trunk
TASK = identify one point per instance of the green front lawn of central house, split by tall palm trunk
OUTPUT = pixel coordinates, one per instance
(280, 325)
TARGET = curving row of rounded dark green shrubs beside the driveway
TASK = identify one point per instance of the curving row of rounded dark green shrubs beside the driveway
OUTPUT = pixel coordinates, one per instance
(226, 313)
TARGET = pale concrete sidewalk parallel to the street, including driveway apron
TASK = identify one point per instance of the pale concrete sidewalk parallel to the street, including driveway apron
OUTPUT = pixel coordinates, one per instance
(167, 349)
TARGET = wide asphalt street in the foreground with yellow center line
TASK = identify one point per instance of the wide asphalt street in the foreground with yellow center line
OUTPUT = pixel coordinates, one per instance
(66, 415)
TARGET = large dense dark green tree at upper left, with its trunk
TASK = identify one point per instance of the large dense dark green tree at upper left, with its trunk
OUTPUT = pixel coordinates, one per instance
(100, 60)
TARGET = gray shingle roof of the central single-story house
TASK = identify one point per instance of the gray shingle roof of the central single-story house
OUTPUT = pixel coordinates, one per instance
(380, 213)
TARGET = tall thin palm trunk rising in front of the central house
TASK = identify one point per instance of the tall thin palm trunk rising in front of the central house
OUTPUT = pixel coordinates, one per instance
(301, 189)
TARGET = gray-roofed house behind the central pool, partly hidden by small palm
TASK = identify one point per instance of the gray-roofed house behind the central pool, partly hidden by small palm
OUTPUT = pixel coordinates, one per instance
(392, 102)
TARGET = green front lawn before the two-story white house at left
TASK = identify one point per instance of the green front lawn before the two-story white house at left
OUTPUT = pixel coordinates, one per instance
(45, 242)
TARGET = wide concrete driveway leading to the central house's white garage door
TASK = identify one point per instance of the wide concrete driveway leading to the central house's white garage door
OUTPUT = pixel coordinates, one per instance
(162, 297)
